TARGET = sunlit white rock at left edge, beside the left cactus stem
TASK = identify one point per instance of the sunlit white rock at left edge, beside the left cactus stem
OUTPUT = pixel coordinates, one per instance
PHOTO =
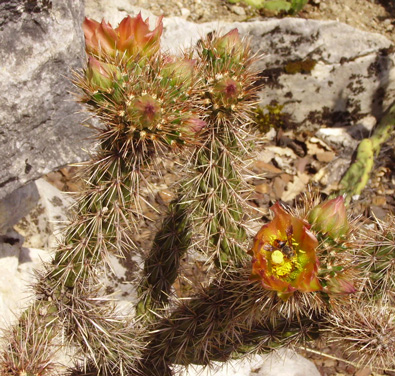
(25, 250)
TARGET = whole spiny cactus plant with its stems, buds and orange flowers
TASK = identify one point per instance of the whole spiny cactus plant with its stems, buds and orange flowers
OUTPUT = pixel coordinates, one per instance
(306, 266)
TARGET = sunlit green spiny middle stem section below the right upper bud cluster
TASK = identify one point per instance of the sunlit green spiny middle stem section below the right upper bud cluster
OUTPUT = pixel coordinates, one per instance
(216, 203)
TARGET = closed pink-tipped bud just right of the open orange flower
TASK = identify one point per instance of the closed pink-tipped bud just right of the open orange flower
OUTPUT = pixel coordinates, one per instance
(330, 218)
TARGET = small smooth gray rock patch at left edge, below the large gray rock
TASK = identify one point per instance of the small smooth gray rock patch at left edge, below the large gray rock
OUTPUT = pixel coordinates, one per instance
(16, 205)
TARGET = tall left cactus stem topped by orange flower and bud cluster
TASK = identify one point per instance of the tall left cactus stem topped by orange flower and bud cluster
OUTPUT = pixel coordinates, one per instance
(142, 99)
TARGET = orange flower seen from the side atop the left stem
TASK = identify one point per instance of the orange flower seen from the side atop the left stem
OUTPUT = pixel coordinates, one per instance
(131, 37)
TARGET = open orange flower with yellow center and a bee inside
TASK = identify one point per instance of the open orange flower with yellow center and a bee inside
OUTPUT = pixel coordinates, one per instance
(284, 256)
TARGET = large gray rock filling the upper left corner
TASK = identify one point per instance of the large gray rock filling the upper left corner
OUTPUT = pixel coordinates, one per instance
(40, 44)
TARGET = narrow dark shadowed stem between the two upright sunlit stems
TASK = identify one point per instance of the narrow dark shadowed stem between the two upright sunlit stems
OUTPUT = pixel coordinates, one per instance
(161, 266)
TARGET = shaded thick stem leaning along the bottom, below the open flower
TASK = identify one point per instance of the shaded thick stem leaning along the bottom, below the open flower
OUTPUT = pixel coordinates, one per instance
(230, 317)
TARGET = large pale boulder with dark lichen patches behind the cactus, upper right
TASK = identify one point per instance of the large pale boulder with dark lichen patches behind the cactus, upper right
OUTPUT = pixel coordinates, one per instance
(321, 73)
